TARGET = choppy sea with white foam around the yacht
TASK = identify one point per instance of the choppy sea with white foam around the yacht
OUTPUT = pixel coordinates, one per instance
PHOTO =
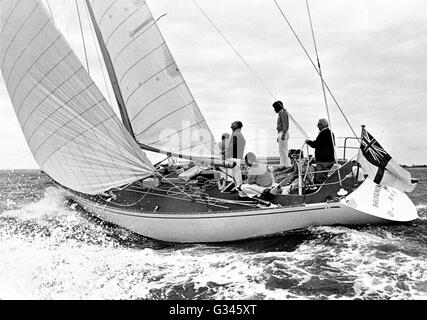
(50, 249)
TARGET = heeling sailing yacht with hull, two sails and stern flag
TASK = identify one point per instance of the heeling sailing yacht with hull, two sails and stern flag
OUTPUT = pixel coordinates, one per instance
(101, 162)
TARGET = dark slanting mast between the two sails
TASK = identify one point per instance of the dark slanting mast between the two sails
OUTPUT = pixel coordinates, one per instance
(111, 72)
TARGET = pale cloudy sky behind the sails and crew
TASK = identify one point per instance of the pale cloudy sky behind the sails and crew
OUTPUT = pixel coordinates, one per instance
(373, 55)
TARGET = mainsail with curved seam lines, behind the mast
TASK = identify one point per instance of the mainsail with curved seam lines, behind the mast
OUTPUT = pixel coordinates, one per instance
(161, 108)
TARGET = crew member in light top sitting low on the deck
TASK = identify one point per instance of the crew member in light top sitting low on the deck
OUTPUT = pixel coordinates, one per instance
(259, 178)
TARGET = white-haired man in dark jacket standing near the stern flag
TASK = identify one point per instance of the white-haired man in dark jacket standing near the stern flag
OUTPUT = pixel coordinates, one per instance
(324, 149)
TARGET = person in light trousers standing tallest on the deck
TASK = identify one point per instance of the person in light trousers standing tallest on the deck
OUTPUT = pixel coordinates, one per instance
(283, 134)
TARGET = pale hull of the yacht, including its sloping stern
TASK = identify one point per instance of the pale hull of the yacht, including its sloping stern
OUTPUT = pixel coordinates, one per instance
(232, 226)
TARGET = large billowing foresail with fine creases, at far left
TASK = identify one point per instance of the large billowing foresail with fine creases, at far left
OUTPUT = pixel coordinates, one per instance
(71, 130)
